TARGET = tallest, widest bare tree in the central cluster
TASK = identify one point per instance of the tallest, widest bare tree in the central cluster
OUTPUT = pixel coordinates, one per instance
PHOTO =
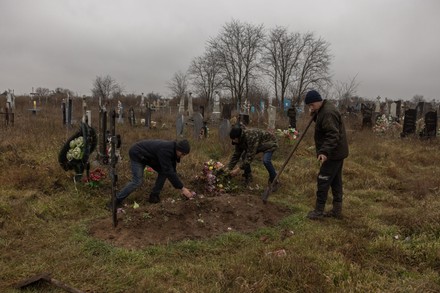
(237, 49)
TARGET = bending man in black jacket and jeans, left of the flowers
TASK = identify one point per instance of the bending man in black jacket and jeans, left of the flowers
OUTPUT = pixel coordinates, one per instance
(161, 156)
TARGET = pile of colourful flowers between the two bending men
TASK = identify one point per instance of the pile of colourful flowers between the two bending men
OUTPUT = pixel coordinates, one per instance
(215, 181)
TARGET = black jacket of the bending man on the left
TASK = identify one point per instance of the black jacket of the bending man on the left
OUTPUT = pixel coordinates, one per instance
(159, 155)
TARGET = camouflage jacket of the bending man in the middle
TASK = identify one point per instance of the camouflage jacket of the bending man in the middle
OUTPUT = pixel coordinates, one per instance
(252, 141)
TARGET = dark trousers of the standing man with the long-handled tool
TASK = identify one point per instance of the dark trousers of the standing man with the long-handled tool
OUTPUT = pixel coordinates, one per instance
(330, 175)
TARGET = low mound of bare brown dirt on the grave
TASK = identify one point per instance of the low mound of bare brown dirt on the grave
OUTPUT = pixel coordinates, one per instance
(176, 220)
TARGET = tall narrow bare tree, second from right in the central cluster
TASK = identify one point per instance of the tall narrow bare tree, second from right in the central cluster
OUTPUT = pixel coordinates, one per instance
(281, 57)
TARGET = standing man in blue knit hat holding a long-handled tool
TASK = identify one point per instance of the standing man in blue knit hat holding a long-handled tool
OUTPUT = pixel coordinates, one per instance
(331, 150)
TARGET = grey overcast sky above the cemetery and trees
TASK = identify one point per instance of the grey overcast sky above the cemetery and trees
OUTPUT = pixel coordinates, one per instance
(392, 46)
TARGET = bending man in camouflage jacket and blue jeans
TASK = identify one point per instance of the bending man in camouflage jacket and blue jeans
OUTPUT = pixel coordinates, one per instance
(248, 142)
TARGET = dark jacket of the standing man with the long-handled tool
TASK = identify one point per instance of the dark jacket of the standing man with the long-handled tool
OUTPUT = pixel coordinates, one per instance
(330, 136)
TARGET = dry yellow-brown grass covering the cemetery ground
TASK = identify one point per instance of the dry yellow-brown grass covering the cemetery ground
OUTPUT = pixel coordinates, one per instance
(387, 242)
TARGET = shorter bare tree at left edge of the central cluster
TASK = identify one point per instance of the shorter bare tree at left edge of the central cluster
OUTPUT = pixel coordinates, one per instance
(205, 72)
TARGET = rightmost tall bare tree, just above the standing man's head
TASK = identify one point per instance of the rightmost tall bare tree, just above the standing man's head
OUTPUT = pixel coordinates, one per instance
(313, 71)
